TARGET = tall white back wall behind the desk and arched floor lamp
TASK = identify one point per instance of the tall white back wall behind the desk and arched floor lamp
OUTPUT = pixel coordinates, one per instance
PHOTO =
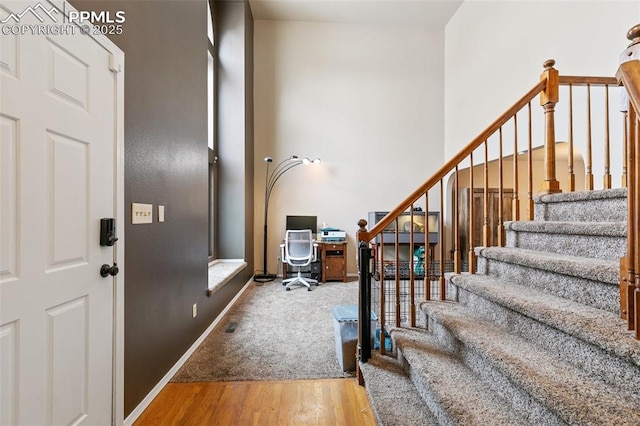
(366, 99)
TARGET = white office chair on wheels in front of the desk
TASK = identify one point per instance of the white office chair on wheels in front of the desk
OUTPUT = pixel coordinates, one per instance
(299, 250)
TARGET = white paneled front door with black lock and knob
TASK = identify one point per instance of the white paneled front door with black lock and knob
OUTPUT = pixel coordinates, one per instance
(58, 178)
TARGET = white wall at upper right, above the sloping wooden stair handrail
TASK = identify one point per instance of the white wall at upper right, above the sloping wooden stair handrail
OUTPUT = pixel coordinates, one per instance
(494, 52)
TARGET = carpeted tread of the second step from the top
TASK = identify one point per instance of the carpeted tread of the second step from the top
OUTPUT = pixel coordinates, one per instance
(600, 229)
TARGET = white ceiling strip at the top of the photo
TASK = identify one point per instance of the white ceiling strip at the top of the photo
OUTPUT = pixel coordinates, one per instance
(428, 13)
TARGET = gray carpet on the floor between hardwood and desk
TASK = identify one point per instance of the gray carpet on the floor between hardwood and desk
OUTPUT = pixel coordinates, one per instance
(277, 335)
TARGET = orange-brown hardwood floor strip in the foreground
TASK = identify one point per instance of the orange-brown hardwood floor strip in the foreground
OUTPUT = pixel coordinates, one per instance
(286, 402)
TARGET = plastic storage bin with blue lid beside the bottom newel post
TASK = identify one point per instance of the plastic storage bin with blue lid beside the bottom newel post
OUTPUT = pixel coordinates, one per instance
(346, 333)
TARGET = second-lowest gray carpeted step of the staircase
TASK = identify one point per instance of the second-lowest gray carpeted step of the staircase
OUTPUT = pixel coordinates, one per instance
(458, 395)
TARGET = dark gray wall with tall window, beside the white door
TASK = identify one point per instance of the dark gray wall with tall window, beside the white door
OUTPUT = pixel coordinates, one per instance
(166, 163)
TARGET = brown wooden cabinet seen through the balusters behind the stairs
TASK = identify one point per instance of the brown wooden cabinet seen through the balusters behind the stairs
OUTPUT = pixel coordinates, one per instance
(464, 194)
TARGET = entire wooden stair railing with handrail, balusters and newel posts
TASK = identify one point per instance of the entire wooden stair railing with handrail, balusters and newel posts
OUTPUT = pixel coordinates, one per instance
(372, 262)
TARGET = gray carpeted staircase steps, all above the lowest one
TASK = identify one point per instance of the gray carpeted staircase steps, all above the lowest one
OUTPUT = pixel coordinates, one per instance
(539, 339)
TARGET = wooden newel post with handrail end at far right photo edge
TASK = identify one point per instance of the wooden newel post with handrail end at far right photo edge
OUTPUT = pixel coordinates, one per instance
(628, 76)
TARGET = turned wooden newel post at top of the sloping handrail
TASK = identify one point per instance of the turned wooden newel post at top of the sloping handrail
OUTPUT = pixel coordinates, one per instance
(548, 99)
